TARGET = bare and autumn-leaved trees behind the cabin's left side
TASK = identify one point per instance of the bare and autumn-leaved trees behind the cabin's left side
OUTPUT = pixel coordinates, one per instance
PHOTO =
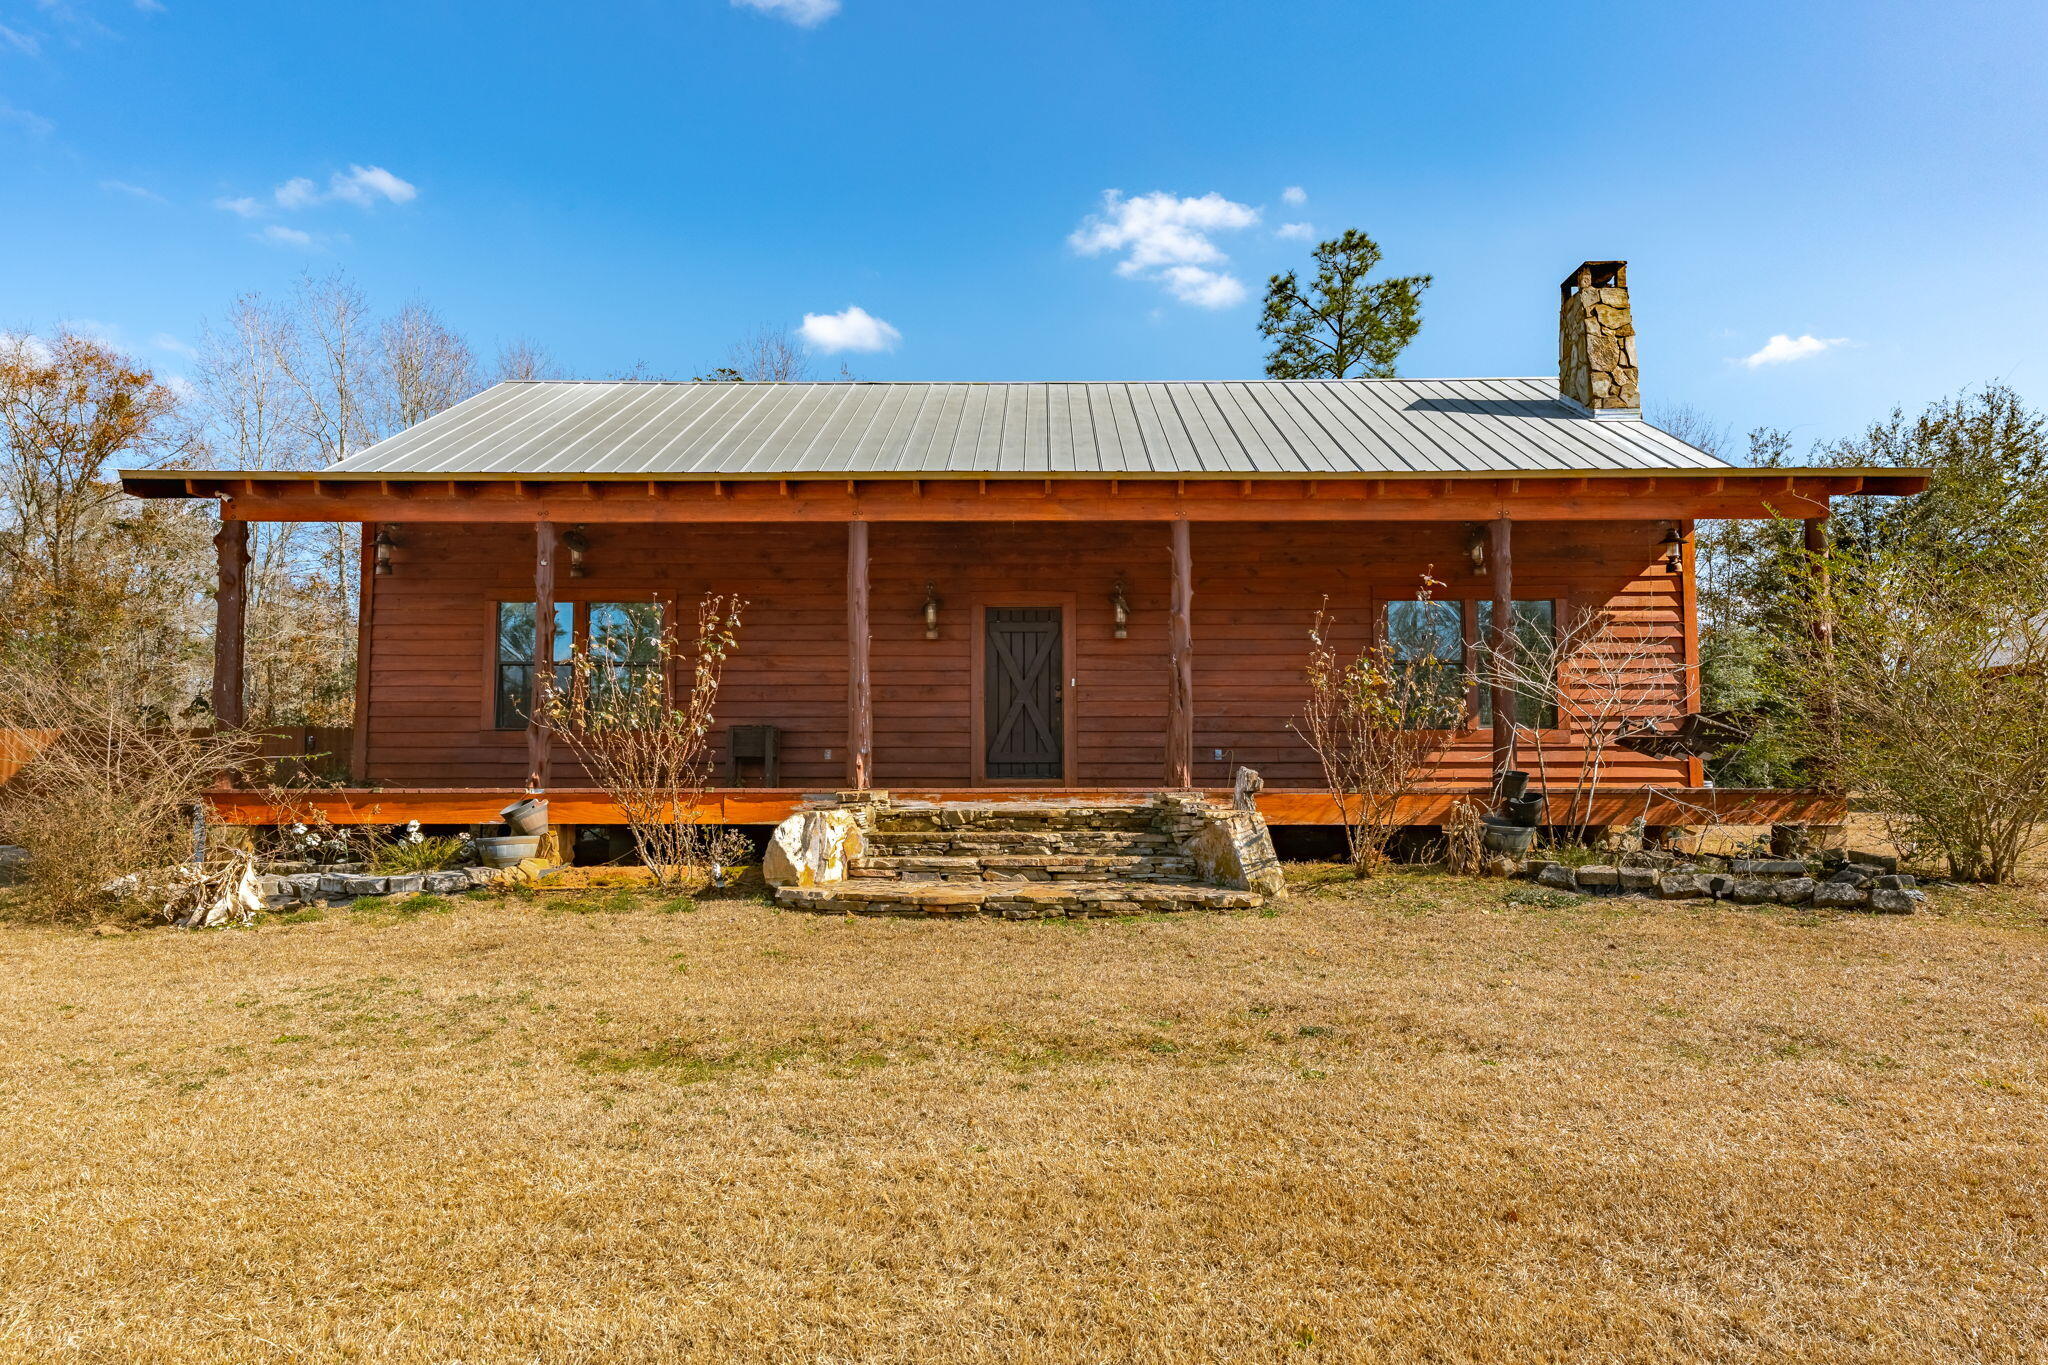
(95, 582)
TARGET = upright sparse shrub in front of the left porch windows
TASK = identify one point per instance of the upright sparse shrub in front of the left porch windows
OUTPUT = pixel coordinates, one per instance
(642, 730)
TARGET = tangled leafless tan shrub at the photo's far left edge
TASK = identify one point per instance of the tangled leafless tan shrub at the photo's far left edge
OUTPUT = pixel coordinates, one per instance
(112, 795)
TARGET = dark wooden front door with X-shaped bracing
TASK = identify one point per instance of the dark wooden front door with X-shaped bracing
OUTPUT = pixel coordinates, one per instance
(1023, 701)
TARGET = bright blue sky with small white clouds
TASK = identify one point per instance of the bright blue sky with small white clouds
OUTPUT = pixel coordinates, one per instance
(650, 179)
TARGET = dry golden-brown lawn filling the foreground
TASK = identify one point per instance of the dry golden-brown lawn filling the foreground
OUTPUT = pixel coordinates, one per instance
(1422, 1122)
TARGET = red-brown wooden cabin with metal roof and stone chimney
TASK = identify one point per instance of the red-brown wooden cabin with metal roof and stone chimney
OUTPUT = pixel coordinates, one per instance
(1009, 590)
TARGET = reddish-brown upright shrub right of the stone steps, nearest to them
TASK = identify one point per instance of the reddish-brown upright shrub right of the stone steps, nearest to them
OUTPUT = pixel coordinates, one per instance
(1377, 723)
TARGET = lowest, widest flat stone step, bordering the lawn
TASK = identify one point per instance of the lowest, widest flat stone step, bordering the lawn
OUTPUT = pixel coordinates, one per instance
(1013, 899)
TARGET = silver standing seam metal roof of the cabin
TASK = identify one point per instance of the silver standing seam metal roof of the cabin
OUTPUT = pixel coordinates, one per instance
(1183, 429)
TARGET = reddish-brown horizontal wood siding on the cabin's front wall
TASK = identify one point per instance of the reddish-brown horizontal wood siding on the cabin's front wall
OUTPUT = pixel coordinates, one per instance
(1254, 597)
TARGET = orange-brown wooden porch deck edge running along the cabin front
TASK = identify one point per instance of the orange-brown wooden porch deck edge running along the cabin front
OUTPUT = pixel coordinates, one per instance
(773, 805)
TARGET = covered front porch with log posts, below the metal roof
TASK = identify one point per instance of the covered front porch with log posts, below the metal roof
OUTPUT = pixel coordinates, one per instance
(980, 637)
